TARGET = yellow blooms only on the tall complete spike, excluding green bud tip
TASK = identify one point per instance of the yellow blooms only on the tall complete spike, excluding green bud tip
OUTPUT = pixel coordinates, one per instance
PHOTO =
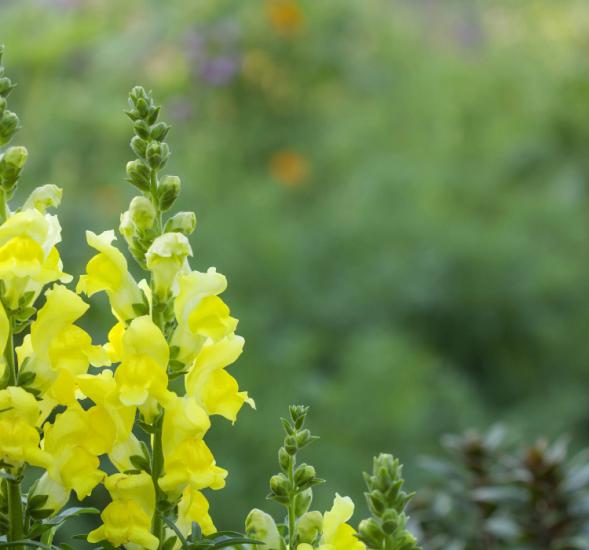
(199, 342)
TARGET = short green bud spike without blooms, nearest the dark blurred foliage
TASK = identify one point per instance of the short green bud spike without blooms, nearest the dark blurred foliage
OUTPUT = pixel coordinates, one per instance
(387, 502)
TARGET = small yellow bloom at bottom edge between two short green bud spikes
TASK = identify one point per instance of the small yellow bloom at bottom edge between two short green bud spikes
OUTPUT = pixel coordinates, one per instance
(337, 534)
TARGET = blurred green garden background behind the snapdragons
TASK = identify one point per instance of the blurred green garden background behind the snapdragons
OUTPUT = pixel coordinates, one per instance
(397, 191)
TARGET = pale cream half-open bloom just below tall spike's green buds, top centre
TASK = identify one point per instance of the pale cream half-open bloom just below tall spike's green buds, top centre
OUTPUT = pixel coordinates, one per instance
(166, 257)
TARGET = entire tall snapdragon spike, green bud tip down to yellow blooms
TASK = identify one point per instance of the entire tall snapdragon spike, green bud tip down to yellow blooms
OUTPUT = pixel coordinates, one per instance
(170, 348)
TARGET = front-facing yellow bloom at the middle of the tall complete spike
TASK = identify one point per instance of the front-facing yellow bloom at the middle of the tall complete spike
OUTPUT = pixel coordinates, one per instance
(144, 361)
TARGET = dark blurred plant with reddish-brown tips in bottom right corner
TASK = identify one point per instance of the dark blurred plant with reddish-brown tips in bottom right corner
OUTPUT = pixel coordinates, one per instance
(492, 495)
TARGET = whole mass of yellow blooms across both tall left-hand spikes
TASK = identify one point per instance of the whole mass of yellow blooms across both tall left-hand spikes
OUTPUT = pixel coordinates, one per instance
(75, 401)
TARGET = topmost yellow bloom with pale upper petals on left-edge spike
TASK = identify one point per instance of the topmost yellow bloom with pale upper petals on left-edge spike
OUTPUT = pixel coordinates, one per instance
(28, 255)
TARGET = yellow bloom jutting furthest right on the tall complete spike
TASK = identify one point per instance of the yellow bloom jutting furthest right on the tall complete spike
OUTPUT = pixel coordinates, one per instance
(211, 385)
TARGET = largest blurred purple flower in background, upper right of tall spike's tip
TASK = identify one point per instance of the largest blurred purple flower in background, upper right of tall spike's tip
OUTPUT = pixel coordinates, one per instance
(214, 53)
